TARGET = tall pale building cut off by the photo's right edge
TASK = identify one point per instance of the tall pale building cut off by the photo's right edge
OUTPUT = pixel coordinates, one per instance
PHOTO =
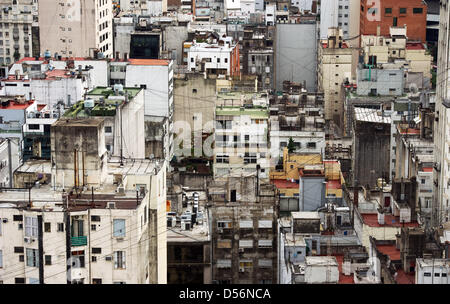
(441, 172)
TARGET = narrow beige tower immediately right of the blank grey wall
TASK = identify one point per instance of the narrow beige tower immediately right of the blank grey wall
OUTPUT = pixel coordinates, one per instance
(335, 68)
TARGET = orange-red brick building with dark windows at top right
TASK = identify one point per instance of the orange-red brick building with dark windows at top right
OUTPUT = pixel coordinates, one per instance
(416, 23)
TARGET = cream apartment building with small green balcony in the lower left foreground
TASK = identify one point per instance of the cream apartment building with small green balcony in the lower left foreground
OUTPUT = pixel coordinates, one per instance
(91, 238)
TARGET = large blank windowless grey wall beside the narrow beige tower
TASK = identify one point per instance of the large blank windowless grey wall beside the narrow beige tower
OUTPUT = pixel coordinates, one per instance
(296, 59)
